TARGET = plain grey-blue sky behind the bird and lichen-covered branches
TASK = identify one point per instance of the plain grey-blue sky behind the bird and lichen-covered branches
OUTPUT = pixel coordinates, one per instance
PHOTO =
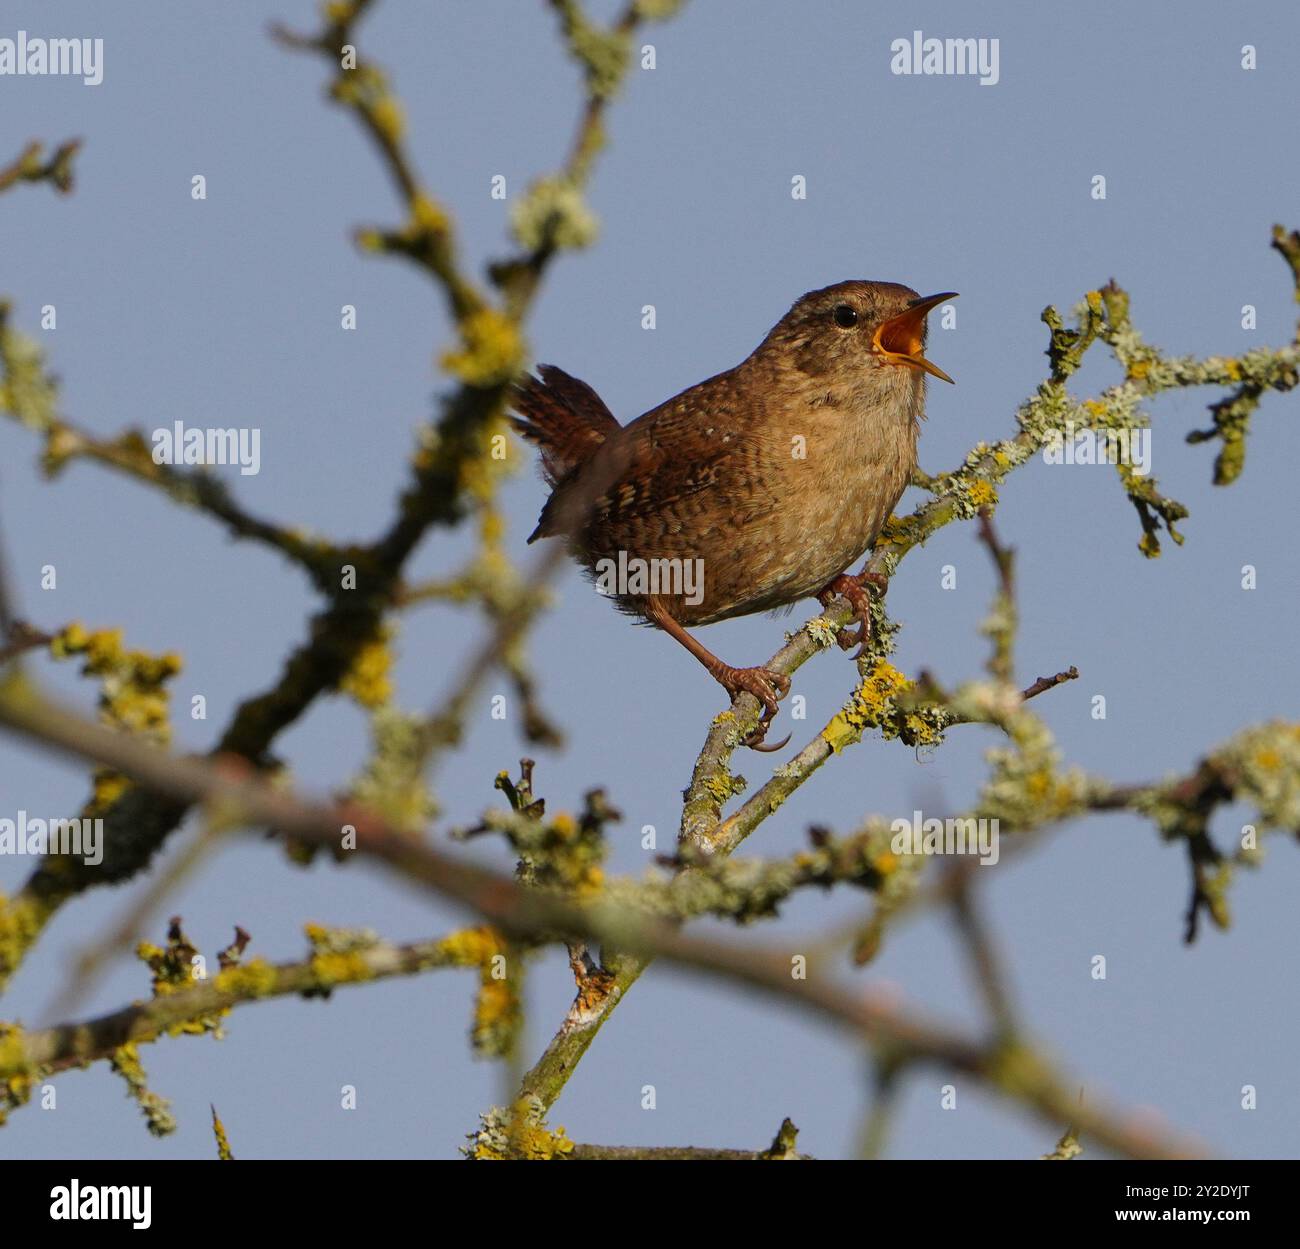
(226, 313)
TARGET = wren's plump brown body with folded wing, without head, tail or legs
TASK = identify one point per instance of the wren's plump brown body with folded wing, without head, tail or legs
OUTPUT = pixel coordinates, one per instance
(775, 475)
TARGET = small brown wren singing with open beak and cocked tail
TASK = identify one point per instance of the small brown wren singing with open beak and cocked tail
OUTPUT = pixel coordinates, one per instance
(752, 491)
